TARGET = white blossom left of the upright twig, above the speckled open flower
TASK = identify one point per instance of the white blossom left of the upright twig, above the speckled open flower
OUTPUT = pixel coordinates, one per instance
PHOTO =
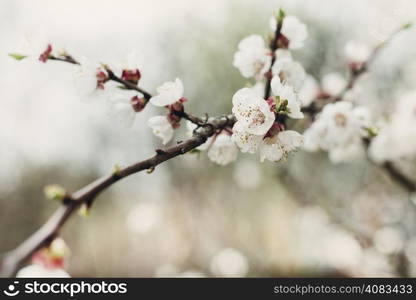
(253, 58)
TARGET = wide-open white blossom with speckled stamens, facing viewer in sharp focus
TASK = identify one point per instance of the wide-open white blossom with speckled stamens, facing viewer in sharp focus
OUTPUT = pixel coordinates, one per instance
(252, 111)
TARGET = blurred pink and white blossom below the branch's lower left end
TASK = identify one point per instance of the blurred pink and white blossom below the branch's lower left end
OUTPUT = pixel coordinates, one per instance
(48, 262)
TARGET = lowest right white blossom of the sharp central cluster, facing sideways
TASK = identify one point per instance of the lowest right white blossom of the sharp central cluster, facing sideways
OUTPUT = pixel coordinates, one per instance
(278, 146)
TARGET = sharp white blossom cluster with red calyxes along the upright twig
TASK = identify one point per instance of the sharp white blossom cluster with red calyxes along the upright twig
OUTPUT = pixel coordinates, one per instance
(259, 125)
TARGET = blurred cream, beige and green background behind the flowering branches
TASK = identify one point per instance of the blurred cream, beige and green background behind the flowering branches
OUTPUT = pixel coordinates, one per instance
(302, 217)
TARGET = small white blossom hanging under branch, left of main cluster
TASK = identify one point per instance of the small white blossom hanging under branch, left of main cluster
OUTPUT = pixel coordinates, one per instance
(223, 150)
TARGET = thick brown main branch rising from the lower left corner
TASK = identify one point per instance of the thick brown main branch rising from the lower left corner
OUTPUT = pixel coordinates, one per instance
(14, 259)
